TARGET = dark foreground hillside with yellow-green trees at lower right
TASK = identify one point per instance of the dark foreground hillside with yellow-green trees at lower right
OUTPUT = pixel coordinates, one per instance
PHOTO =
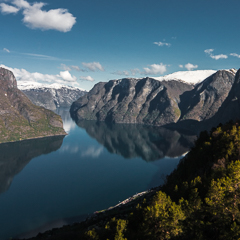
(200, 200)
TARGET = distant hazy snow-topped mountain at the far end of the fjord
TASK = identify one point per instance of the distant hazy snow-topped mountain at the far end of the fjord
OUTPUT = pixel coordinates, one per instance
(50, 96)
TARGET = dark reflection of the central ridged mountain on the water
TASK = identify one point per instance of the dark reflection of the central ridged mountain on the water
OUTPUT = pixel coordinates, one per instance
(130, 140)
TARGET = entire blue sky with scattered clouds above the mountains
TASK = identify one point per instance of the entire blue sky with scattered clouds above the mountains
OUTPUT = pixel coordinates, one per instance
(80, 43)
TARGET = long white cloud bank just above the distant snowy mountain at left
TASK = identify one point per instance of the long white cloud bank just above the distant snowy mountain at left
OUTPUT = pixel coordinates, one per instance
(24, 75)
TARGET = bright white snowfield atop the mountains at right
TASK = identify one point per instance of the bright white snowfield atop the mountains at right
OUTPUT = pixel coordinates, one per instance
(191, 77)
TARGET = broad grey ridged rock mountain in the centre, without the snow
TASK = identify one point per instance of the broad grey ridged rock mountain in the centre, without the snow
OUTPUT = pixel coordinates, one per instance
(145, 101)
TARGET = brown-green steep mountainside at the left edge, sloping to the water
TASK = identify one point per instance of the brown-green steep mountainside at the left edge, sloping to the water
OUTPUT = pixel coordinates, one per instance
(19, 118)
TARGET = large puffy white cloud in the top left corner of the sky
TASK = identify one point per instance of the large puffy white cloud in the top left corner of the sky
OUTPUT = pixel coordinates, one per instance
(34, 17)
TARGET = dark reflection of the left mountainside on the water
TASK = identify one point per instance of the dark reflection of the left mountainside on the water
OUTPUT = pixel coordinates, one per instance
(15, 156)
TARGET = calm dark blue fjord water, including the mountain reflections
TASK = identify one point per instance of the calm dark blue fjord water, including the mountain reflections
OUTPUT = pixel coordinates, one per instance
(53, 181)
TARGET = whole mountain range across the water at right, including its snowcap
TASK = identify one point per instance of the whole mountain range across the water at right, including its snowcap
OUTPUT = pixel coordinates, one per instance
(192, 99)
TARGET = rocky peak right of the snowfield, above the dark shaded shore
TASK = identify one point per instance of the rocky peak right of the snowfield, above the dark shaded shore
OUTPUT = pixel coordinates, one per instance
(206, 98)
